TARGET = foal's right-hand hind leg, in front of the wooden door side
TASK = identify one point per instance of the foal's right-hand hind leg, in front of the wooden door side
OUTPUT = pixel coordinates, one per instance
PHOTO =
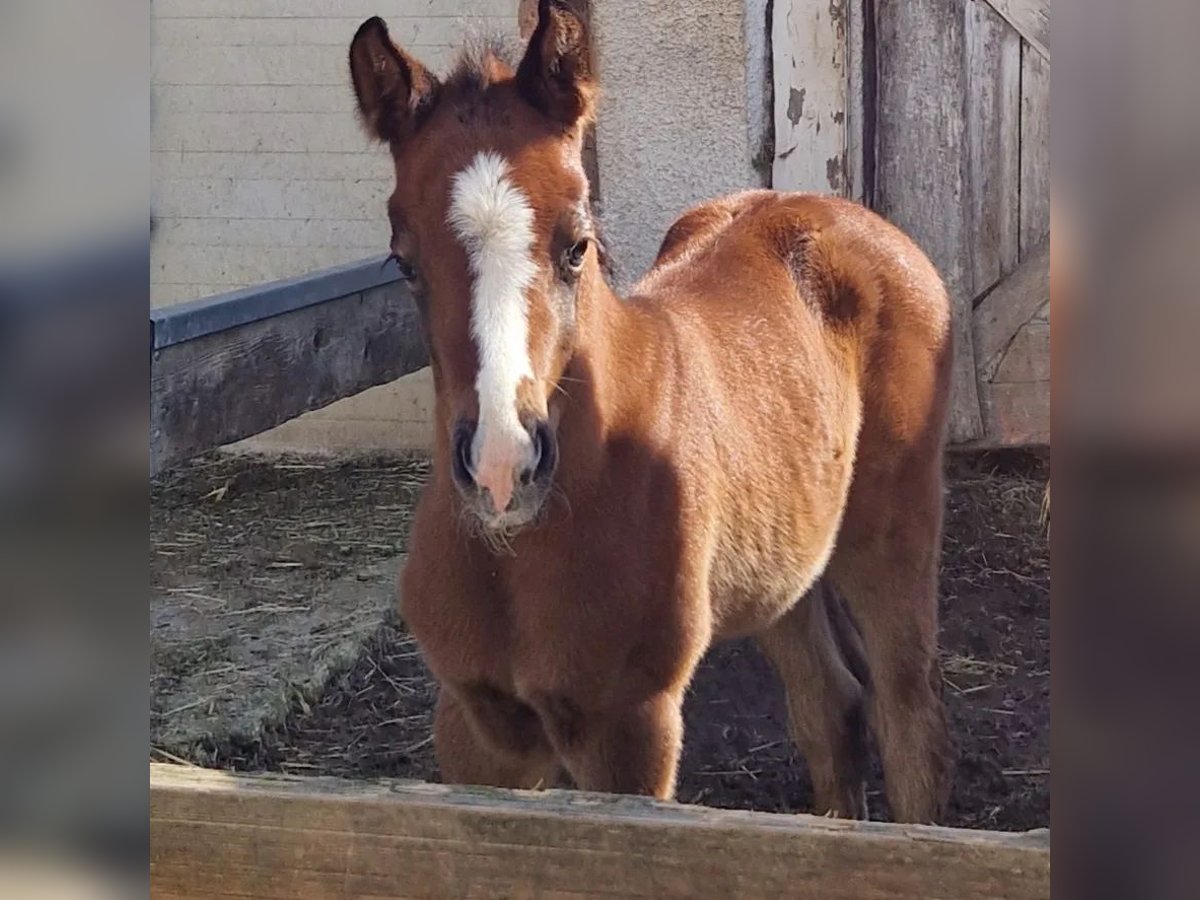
(886, 568)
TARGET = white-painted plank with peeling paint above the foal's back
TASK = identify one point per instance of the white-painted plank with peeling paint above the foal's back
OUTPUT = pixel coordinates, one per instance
(809, 45)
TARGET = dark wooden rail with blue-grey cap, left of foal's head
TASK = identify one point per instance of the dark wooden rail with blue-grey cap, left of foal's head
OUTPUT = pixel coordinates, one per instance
(236, 365)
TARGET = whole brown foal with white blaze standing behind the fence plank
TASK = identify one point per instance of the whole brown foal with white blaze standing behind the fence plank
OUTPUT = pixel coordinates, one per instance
(759, 425)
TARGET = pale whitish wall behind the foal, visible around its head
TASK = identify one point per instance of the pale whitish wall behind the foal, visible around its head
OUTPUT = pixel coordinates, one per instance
(261, 171)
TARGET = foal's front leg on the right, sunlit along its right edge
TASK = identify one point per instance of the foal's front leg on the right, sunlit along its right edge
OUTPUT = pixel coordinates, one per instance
(625, 748)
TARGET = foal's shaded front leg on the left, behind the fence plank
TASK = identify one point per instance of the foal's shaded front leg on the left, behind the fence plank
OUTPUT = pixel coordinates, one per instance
(505, 747)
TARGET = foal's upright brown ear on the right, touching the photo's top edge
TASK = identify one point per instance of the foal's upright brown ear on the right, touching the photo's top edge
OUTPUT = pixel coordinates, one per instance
(556, 74)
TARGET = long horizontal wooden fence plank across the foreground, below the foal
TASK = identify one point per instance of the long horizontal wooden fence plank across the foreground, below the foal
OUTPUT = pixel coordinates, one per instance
(214, 835)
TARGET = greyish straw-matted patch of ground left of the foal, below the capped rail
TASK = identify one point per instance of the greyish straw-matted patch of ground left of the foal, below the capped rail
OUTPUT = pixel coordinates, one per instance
(256, 567)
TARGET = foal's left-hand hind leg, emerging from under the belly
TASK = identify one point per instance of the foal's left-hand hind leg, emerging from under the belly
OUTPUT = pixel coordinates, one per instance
(825, 701)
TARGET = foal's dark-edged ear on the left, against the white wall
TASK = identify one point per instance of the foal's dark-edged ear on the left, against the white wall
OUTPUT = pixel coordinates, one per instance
(394, 91)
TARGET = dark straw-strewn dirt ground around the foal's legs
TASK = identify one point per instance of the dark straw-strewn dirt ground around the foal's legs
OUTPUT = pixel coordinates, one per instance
(369, 712)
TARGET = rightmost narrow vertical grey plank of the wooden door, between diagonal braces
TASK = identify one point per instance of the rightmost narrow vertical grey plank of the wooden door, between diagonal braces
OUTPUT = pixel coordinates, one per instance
(1035, 149)
